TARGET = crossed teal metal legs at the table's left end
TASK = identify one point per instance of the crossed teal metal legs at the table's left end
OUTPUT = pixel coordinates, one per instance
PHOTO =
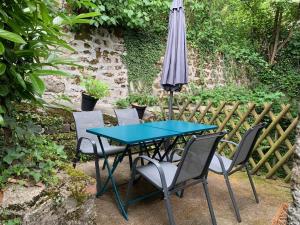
(111, 178)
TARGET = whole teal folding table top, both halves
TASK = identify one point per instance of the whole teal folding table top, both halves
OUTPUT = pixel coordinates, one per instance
(132, 134)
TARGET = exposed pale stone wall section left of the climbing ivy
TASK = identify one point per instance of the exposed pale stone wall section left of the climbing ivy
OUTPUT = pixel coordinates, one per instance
(99, 52)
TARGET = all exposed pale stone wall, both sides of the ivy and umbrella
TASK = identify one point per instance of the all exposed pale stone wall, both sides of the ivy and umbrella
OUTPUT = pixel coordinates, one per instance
(100, 52)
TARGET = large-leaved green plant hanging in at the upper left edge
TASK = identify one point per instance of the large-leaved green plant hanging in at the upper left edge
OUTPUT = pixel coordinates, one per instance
(30, 47)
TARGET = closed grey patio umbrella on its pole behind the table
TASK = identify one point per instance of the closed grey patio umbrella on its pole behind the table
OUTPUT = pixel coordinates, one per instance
(175, 68)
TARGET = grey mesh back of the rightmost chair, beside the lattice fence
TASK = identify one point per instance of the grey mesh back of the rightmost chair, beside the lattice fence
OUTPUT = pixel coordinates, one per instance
(247, 144)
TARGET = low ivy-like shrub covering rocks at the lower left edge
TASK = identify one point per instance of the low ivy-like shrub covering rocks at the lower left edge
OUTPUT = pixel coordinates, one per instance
(34, 160)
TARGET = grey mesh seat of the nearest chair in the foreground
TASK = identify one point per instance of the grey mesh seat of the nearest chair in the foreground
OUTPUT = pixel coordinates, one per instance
(150, 173)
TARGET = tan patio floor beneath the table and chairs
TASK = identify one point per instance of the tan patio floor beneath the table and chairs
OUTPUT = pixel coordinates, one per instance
(192, 208)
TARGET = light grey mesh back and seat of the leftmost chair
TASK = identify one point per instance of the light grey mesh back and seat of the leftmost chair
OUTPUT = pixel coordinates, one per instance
(85, 120)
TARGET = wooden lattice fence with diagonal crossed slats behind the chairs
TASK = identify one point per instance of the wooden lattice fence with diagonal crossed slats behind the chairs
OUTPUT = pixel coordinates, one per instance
(274, 147)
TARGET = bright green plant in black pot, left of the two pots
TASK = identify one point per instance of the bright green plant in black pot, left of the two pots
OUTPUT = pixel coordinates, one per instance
(94, 90)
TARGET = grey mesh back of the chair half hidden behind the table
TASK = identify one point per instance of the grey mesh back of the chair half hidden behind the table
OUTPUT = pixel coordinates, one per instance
(127, 116)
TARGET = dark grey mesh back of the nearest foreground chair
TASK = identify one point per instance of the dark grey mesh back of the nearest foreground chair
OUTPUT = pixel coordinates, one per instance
(196, 158)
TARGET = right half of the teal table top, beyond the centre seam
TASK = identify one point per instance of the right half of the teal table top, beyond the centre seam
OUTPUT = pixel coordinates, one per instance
(181, 126)
